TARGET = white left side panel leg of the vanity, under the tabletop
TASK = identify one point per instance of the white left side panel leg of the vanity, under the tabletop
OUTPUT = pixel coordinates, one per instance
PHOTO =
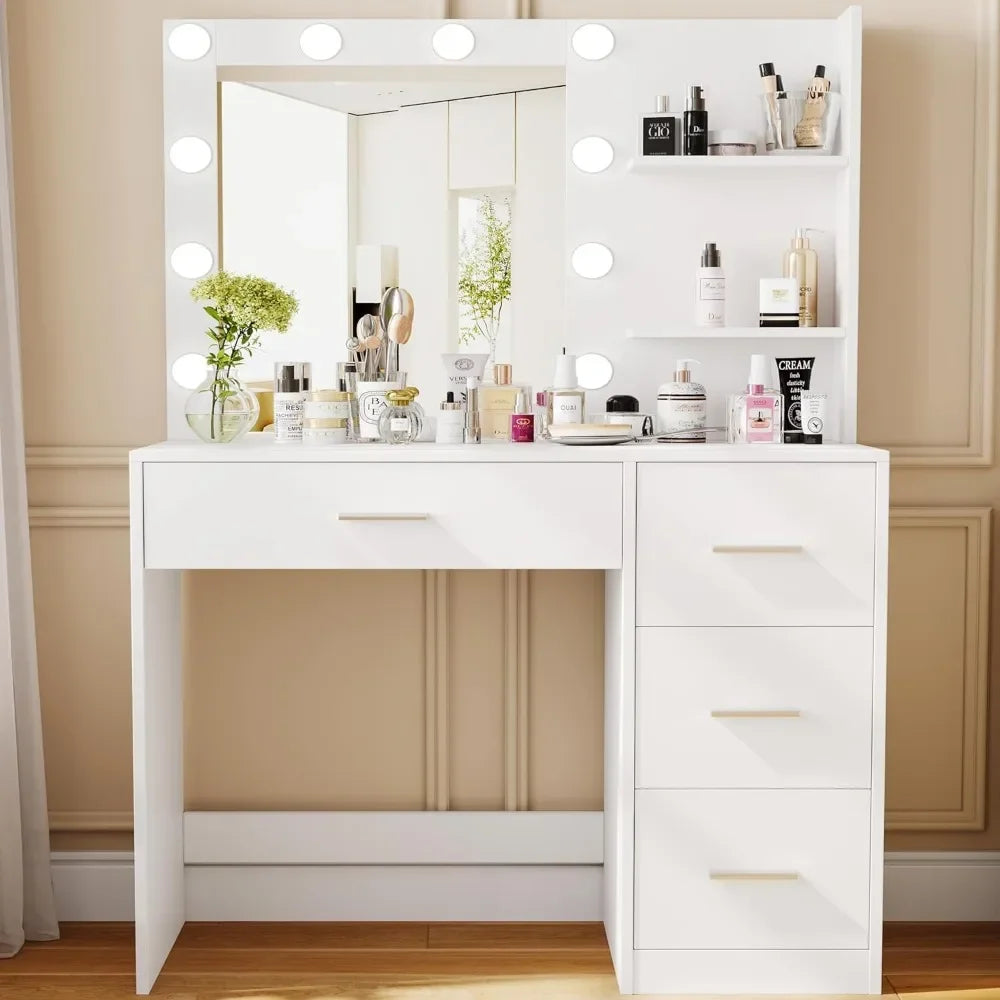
(158, 768)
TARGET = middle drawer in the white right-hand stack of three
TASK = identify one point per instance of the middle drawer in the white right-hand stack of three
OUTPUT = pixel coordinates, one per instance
(754, 707)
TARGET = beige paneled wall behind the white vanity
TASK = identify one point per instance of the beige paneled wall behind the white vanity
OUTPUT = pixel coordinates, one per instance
(479, 696)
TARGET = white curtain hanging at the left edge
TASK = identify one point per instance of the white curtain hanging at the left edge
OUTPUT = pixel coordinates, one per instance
(27, 909)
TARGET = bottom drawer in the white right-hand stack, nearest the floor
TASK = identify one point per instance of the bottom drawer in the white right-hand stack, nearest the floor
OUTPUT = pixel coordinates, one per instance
(752, 869)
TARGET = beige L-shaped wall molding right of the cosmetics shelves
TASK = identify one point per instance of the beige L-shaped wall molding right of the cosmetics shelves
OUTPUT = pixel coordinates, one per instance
(979, 449)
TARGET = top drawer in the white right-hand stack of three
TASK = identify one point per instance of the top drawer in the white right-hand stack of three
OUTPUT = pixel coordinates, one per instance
(756, 544)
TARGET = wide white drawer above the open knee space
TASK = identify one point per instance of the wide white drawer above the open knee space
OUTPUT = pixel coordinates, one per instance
(382, 515)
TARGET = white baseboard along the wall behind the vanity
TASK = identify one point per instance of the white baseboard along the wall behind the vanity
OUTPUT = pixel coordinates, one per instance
(98, 885)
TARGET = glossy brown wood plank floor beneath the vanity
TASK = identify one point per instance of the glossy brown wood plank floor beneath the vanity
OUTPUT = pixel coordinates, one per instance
(430, 962)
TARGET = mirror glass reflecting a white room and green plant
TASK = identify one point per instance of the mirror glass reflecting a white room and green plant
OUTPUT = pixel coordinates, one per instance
(448, 181)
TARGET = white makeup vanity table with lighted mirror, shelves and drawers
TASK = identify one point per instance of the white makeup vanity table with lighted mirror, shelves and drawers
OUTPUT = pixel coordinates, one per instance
(741, 839)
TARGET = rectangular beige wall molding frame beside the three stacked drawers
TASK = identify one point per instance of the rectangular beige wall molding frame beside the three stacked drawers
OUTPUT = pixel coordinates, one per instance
(970, 811)
